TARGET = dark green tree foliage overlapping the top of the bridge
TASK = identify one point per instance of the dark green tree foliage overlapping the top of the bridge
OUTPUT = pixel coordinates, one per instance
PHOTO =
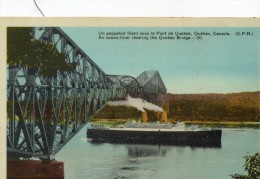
(34, 54)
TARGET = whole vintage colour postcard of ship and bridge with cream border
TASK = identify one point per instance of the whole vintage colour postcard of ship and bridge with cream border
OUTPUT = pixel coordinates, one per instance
(130, 97)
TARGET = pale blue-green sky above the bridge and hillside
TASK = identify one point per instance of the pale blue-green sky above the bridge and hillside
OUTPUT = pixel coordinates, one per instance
(216, 64)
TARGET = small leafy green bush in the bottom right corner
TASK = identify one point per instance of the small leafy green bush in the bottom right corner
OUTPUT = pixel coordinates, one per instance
(252, 166)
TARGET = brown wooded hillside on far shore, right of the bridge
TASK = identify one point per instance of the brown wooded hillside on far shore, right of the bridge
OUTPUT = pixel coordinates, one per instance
(243, 106)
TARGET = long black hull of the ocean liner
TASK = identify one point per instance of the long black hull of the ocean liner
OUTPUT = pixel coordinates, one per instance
(207, 138)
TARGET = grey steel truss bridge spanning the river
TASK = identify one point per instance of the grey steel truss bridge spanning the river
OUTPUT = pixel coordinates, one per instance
(44, 113)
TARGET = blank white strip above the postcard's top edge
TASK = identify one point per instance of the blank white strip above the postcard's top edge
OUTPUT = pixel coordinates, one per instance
(131, 8)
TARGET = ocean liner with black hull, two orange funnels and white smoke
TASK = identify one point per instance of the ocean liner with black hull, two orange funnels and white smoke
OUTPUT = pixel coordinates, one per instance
(161, 132)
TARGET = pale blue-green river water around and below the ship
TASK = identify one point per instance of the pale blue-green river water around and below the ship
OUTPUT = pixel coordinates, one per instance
(83, 159)
